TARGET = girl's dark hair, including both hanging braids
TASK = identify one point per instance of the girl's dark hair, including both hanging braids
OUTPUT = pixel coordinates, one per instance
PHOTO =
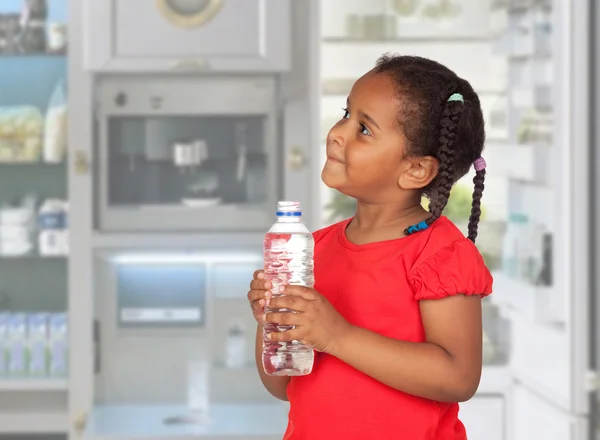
(451, 131)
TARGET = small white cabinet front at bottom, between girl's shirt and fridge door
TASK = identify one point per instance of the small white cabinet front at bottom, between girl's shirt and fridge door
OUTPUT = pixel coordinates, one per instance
(483, 418)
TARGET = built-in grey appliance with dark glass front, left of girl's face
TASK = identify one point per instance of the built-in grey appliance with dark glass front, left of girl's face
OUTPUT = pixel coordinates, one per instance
(185, 153)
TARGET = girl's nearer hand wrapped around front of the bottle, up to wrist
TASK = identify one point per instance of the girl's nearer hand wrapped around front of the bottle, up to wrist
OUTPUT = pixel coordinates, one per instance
(317, 324)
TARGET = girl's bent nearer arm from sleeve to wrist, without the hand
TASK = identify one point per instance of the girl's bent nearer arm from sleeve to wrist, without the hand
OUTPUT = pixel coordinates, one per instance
(445, 368)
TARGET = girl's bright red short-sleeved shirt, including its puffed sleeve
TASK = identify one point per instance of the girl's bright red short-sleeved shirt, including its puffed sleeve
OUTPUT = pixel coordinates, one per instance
(378, 286)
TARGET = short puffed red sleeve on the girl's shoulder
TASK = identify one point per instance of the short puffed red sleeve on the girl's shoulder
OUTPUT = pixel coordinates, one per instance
(456, 269)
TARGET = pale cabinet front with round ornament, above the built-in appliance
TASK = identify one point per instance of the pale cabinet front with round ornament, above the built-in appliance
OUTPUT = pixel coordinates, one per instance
(187, 35)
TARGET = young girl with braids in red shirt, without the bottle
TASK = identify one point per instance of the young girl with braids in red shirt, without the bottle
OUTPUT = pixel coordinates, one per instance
(395, 315)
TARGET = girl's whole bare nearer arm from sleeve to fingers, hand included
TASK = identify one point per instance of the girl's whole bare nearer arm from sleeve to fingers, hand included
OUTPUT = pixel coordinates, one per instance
(445, 368)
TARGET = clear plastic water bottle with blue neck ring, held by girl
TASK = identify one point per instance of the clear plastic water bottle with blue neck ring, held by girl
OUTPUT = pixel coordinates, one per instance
(288, 259)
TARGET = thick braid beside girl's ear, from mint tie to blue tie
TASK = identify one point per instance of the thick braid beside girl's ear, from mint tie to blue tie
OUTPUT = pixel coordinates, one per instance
(445, 178)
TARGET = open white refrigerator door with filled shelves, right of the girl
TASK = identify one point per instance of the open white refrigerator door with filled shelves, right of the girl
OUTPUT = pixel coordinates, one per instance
(551, 59)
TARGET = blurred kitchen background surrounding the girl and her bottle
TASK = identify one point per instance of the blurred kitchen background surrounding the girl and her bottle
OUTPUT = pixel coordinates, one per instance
(144, 144)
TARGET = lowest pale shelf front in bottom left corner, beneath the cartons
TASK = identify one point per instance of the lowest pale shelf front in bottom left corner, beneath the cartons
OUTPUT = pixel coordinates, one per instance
(33, 423)
